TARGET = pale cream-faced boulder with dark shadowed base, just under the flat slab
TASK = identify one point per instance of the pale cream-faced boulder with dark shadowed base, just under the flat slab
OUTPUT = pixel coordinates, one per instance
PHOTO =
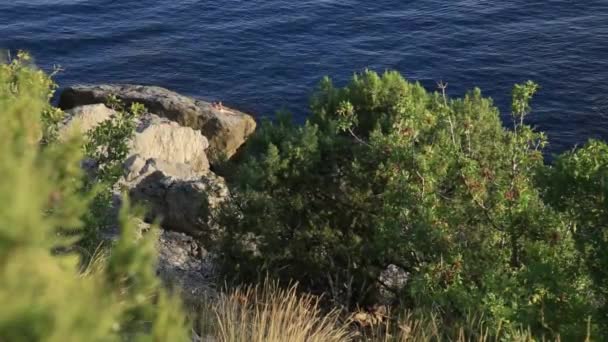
(166, 171)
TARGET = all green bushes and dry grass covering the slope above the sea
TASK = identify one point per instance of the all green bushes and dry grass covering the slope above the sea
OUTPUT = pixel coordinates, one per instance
(392, 214)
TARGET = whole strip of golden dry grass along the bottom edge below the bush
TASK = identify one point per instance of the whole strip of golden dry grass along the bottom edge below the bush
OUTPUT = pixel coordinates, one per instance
(269, 313)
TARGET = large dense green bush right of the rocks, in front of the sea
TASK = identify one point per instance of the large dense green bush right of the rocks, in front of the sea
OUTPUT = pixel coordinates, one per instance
(384, 172)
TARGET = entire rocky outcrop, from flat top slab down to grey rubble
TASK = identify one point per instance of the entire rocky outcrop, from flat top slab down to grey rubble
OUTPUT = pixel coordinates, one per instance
(168, 169)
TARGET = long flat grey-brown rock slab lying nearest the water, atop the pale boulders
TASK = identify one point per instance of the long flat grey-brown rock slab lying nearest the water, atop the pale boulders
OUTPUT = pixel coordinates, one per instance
(227, 129)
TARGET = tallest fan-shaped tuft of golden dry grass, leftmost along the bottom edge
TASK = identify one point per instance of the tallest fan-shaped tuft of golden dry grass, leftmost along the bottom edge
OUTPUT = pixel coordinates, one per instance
(268, 313)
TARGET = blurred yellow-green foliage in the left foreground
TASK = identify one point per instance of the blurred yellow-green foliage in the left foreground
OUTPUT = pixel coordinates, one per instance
(43, 294)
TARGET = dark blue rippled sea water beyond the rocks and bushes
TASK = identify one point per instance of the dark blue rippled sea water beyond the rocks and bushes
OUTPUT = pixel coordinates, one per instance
(264, 55)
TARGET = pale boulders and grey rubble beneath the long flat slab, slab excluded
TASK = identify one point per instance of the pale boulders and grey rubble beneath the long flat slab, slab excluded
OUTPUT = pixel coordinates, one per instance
(167, 171)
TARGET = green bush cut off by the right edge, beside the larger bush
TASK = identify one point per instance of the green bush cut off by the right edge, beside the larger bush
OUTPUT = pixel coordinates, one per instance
(577, 185)
